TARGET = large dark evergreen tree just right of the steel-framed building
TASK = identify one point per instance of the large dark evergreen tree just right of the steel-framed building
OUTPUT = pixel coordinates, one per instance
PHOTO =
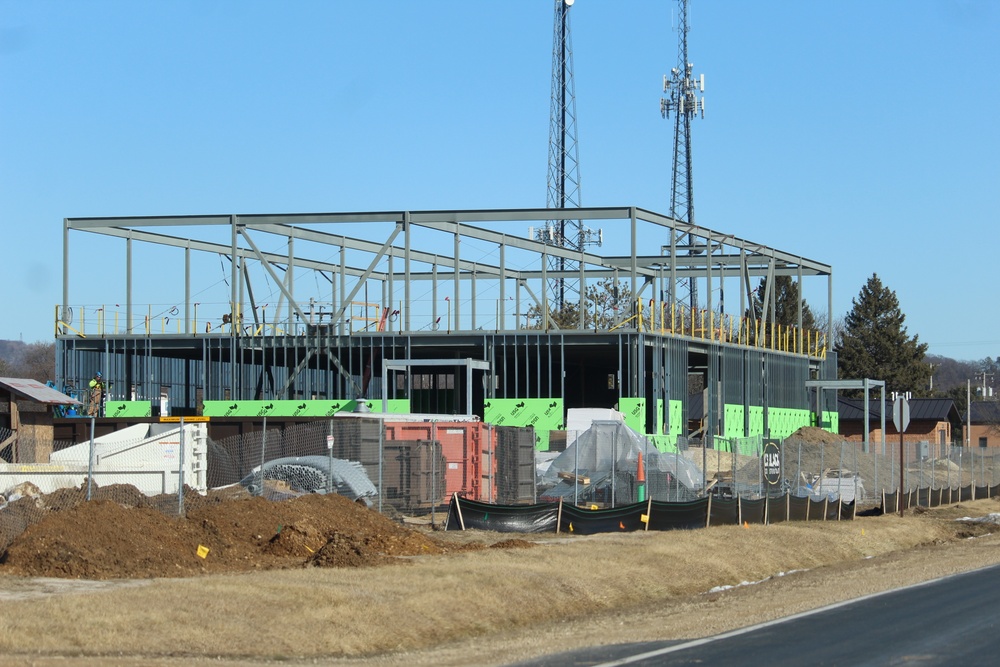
(875, 343)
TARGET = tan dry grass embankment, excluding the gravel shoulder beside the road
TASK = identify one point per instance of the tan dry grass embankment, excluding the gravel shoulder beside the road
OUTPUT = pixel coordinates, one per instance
(427, 601)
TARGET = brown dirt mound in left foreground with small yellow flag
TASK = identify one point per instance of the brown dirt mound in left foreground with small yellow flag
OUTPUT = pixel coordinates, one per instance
(103, 539)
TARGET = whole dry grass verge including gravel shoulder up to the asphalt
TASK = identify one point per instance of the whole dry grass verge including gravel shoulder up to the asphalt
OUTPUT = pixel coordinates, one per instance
(469, 604)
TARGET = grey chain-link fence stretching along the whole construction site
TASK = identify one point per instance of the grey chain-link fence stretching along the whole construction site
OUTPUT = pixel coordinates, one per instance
(416, 467)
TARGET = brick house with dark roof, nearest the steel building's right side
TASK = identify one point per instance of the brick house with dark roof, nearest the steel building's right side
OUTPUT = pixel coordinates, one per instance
(935, 421)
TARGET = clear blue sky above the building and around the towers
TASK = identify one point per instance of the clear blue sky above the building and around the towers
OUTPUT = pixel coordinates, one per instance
(861, 134)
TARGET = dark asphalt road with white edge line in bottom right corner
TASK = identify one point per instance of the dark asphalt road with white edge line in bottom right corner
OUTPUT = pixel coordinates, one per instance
(955, 620)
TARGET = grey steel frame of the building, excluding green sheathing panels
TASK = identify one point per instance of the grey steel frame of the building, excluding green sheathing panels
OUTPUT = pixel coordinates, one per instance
(315, 350)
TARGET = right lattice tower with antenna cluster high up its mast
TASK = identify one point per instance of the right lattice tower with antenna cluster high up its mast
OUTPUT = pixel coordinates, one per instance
(683, 101)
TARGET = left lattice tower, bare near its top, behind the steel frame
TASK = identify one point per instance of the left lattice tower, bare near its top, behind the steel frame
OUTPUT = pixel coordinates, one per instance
(564, 161)
